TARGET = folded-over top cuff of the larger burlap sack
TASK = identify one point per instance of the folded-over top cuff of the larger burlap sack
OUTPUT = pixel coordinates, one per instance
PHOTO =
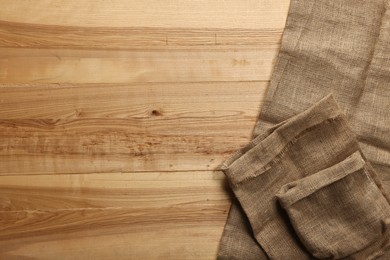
(257, 156)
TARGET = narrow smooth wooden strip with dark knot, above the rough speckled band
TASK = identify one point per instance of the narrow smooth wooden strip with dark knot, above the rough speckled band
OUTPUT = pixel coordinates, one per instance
(130, 101)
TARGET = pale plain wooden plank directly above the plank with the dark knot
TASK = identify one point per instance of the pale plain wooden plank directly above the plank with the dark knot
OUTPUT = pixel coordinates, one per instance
(113, 66)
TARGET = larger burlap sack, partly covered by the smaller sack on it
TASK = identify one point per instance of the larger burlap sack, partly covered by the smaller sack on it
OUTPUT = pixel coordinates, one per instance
(305, 144)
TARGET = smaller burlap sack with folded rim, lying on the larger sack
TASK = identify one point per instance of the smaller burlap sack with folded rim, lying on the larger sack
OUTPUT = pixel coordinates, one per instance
(338, 211)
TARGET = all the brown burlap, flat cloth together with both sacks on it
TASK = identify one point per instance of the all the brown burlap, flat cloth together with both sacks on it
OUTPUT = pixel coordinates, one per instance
(313, 182)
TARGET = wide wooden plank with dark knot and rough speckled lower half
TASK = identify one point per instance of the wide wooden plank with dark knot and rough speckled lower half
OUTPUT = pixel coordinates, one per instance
(118, 128)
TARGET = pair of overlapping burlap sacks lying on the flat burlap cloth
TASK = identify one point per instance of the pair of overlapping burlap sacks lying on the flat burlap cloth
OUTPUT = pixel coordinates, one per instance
(306, 162)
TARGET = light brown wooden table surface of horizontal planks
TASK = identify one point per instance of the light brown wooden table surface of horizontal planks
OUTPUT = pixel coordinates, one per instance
(114, 118)
